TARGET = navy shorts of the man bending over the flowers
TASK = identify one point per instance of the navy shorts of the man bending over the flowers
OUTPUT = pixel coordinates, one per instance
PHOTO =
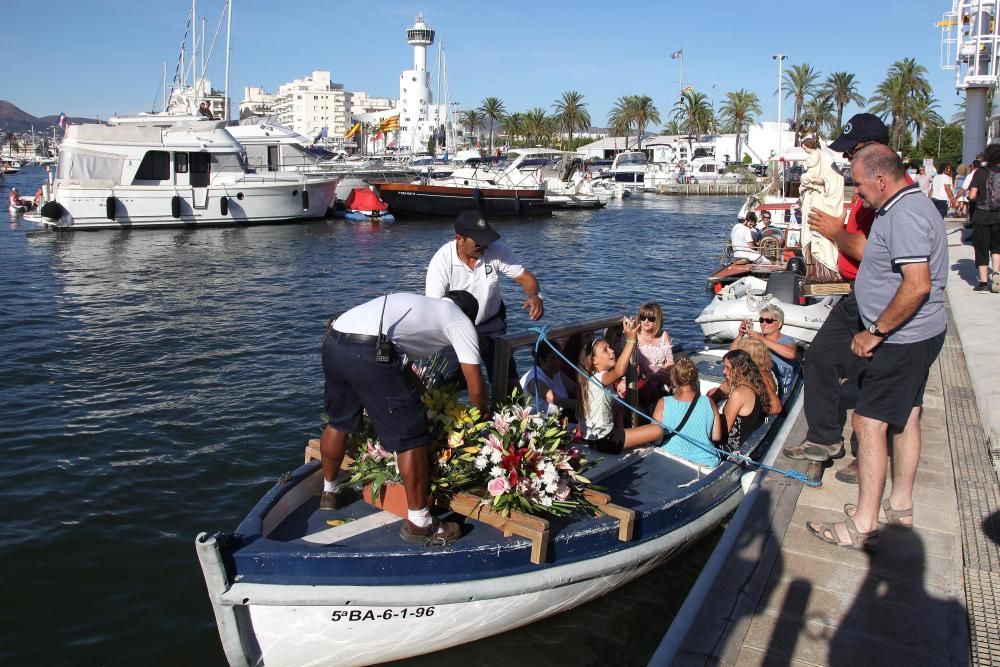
(354, 381)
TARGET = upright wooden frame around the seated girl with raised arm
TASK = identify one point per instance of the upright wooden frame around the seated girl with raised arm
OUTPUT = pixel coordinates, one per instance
(610, 328)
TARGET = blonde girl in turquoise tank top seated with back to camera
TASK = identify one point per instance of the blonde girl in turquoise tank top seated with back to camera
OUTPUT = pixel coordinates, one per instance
(689, 414)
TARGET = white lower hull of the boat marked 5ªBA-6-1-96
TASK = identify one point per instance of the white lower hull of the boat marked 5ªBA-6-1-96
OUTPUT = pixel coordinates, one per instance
(400, 622)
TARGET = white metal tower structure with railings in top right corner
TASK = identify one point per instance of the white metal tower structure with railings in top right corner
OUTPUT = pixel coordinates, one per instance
(970, 45)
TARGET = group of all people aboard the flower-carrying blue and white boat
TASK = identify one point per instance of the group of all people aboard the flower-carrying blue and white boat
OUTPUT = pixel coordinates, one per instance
(368, 351)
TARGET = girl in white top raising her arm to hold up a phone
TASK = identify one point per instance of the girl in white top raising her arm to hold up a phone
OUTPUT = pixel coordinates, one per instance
(599, 362)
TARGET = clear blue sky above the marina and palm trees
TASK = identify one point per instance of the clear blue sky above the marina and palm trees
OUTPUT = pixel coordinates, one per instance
(100, 57)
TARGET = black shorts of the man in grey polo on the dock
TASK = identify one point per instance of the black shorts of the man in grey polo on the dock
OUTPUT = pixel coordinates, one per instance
(893, 380)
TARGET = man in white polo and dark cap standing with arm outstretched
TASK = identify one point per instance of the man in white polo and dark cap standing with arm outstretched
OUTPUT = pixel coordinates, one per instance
(473, 262)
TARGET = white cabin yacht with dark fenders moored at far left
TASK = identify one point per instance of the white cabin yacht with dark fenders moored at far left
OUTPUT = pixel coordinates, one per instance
(161, 171)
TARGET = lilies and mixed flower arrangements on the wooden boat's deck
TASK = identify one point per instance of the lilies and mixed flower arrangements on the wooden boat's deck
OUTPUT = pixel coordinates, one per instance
(517, 461)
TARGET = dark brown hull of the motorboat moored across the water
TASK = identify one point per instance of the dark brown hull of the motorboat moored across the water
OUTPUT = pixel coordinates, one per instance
(436, 200)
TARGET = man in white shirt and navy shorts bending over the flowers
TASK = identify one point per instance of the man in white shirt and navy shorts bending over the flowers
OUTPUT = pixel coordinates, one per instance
(364, 370)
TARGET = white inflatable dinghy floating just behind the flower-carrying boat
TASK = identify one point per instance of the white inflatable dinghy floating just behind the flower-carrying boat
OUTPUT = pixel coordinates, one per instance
(742, 300)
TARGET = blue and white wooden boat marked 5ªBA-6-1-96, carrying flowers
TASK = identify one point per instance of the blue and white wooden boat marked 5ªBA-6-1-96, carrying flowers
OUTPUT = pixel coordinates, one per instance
(289, 588)
